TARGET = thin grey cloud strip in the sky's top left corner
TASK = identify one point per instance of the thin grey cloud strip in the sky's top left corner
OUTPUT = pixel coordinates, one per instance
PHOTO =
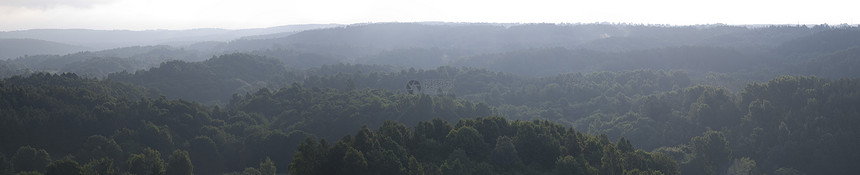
(46, 4)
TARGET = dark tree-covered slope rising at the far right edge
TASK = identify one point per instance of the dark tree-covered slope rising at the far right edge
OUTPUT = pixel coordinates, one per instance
(778, 127)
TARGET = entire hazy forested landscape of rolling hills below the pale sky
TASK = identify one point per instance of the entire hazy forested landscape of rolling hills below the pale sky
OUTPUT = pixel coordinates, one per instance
(449, 98)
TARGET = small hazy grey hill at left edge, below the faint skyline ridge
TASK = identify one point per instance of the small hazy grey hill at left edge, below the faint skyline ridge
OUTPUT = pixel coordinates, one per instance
(13, 48)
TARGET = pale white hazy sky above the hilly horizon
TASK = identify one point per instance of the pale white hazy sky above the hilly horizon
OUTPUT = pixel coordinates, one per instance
(236, 14)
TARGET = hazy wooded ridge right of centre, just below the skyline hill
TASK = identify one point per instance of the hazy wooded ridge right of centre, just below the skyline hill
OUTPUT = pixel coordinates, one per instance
(551, 61)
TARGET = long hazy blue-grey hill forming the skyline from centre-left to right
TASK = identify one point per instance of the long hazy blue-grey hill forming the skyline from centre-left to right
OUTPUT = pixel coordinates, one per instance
(384, 43)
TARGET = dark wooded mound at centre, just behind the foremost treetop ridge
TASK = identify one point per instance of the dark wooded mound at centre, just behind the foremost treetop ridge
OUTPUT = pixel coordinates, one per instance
(330, 113)
